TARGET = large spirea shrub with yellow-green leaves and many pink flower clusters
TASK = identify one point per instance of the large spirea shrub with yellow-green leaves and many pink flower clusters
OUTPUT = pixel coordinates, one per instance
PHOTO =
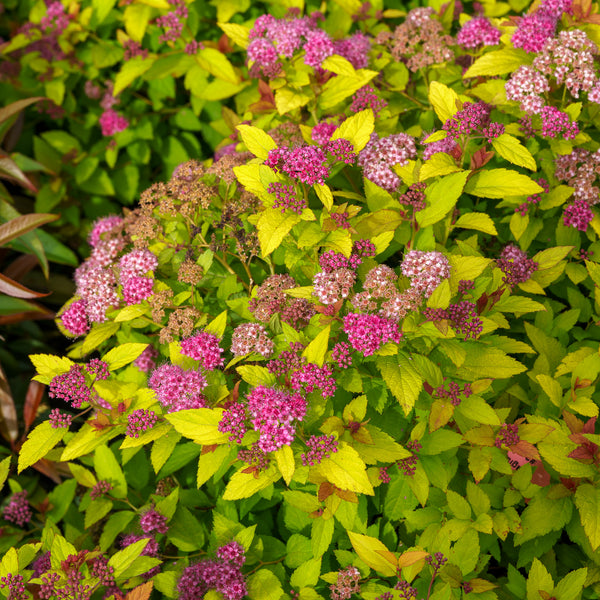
(355, 354)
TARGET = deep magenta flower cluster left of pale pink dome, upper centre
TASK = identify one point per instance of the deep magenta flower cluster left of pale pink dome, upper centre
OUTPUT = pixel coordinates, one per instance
(307, 164)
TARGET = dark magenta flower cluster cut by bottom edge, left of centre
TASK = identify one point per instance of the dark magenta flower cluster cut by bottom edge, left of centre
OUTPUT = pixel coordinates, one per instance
(222, 574)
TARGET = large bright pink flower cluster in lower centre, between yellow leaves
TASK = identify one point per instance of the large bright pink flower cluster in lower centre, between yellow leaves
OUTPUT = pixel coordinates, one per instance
(273, 414)
